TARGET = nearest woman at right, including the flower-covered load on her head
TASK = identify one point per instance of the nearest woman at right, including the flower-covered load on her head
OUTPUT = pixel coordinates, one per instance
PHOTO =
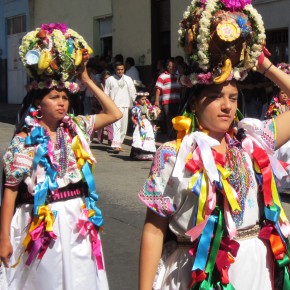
(214, 218)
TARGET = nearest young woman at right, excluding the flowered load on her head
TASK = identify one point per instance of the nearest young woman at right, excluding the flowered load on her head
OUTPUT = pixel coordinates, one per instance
(209, 192)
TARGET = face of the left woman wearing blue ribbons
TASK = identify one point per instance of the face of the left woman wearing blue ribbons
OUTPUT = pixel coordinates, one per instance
(54, 106)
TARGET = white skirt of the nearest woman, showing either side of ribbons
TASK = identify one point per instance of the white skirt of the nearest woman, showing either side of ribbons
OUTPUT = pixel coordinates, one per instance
(252, 269)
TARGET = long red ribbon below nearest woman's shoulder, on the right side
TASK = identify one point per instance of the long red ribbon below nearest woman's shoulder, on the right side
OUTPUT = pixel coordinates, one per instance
(262, 159)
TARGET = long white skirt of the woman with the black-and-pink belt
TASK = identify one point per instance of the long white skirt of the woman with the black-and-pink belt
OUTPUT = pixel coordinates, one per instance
(67, 264)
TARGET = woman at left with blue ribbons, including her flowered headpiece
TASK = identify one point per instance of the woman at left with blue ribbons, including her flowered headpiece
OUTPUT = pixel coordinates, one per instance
(50, 222)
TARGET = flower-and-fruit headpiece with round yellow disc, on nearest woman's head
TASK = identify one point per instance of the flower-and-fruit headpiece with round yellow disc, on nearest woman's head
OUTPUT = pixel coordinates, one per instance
(222, 38)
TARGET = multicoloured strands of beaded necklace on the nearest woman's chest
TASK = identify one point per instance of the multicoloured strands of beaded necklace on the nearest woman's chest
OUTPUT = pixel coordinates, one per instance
(239, 178)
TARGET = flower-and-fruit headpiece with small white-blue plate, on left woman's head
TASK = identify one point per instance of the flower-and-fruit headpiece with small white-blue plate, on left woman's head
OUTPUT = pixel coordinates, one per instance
(52, 54)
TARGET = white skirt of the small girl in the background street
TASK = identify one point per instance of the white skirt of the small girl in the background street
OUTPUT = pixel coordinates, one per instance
(148, 144)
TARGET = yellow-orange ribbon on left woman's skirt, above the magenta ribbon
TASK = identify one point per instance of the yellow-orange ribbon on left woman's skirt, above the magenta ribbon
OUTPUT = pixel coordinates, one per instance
(44, 214)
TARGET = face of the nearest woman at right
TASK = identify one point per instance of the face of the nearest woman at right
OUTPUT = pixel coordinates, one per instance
(216, 107)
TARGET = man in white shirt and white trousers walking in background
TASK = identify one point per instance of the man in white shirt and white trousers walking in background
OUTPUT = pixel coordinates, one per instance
(122, 91)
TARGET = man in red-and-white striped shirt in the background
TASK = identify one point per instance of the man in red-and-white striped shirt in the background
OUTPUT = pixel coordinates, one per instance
(167, 94)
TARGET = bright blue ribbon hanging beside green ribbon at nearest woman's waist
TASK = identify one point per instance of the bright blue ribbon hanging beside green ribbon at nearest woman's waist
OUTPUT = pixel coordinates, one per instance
(204, 244)
